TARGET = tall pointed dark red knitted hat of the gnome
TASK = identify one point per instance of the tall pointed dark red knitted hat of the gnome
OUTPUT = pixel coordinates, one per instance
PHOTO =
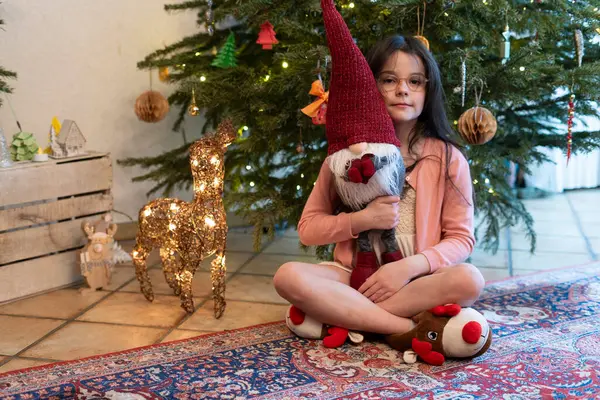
(355, 110)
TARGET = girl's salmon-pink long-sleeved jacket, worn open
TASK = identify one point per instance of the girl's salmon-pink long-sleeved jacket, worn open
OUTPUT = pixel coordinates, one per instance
(444, 219)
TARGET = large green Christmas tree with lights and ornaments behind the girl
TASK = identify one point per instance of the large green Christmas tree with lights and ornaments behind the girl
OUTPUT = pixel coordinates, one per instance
(520, 54)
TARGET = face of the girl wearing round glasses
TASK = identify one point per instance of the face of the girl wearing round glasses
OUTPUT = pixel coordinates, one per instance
(403, 85)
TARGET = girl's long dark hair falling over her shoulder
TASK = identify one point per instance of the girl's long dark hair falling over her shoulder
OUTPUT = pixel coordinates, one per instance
(433, 121)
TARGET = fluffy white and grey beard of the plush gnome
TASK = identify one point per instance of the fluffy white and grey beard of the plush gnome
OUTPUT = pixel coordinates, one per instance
(385, 182)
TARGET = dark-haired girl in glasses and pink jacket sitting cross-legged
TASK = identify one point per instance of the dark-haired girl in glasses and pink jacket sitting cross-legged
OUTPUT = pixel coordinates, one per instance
(433, 219)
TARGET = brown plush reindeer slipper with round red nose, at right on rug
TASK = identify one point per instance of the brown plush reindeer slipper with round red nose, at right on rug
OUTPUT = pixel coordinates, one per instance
(442, 332)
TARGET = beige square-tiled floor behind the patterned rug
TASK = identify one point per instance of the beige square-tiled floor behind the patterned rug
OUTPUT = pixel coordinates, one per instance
(66, 324)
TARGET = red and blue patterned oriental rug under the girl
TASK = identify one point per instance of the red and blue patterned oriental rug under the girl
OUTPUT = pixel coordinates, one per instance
(546, 345)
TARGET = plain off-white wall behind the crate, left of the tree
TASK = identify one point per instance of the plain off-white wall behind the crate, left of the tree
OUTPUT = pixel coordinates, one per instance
(76, 59)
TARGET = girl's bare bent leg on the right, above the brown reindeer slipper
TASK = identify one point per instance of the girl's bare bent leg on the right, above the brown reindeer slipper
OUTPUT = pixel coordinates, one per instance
(461, 284)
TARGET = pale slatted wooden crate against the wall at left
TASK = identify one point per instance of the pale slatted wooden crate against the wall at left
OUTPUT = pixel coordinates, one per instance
(42, 206)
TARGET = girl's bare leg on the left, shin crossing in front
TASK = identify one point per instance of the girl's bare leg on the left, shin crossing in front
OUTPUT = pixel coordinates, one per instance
(322, 292)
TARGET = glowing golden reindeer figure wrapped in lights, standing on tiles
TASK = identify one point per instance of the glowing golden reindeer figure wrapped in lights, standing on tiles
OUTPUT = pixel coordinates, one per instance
(188, 232)
